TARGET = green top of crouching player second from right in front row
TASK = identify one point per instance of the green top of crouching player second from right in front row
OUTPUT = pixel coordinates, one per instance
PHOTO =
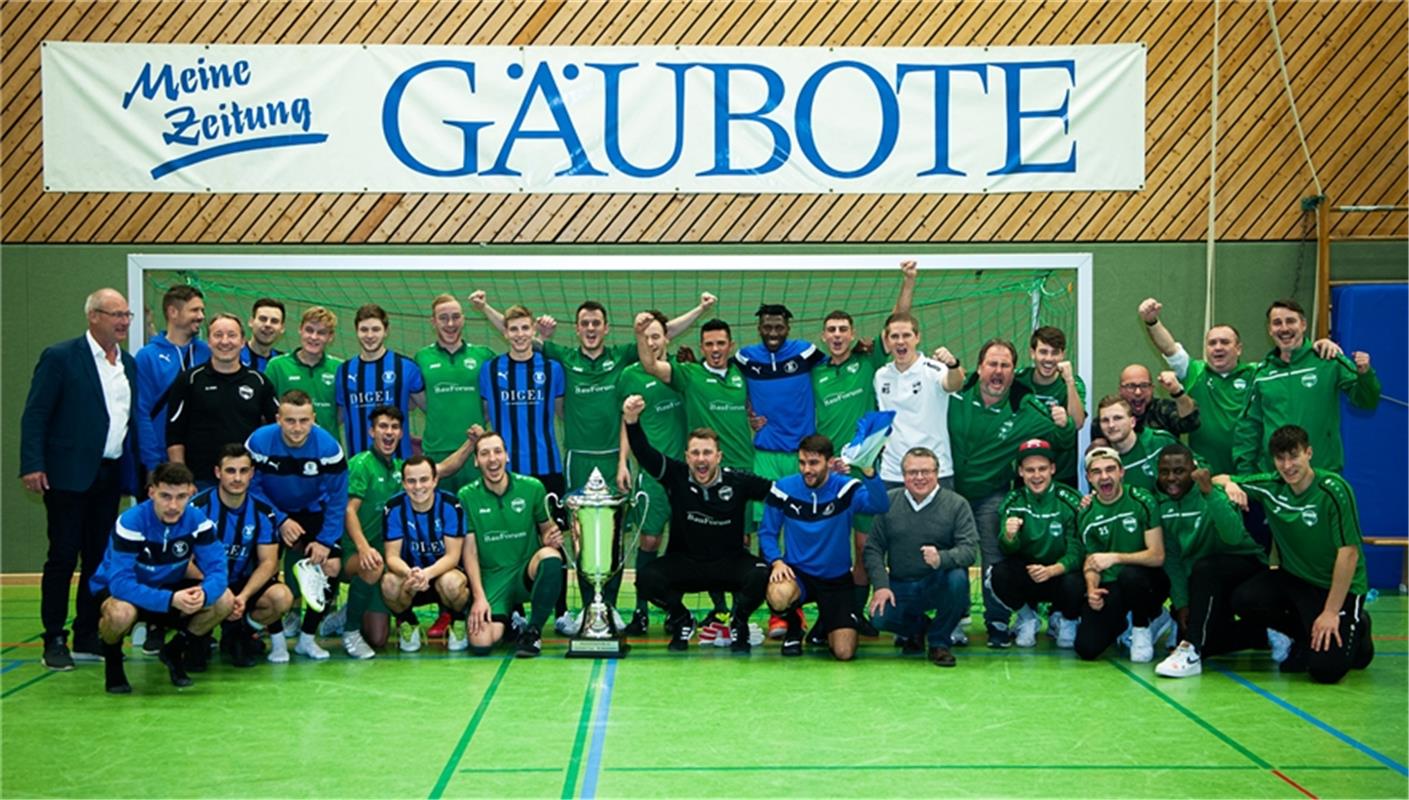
(1196, 527)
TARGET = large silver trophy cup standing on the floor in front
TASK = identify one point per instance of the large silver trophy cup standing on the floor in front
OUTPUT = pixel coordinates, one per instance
(594, 512)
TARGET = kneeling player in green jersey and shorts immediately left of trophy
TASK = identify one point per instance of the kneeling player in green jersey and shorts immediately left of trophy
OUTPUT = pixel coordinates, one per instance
(514, 551)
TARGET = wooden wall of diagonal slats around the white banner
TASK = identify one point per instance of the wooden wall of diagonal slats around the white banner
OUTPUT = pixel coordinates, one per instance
(1345, 63)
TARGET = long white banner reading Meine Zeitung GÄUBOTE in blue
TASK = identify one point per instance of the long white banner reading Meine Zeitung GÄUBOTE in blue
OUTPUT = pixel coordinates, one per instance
(137, 118)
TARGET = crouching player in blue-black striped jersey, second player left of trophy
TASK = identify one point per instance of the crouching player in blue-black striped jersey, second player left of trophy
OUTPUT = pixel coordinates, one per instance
(425, 532)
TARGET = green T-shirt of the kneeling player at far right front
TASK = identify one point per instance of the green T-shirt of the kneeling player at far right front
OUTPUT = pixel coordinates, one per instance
(1310, 527)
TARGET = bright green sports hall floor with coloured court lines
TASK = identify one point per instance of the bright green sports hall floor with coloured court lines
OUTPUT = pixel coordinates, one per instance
(702, 725)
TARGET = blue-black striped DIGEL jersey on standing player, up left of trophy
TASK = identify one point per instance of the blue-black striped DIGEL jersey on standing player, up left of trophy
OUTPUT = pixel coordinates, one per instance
(521, 396)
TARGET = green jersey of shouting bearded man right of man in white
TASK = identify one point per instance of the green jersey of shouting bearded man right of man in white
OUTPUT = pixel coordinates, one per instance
(984, 439)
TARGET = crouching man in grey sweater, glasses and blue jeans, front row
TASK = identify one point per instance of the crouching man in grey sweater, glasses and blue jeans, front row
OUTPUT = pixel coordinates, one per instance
(918, 558)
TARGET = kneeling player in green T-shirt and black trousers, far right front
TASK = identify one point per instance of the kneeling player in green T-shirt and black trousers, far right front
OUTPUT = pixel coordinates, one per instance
(1318, 596)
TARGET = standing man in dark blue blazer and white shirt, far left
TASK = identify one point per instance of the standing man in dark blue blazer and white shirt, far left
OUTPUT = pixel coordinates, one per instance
(77, 450)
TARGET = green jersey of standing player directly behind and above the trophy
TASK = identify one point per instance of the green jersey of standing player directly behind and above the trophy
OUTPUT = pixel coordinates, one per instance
(592, 404)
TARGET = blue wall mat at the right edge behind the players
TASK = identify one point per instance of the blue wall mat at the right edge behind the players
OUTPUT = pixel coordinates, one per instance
(1374, 319)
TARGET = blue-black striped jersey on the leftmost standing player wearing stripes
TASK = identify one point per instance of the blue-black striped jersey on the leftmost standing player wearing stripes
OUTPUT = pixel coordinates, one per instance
(364, 385)
